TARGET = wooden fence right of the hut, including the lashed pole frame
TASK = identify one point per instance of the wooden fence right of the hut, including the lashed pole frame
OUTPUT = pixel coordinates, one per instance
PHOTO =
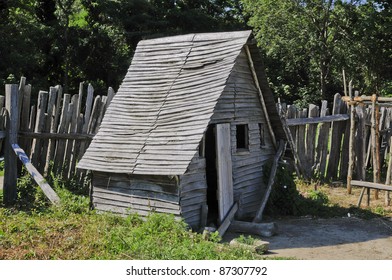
(355, 138)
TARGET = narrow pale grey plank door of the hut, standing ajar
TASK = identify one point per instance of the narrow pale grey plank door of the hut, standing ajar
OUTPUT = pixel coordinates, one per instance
(224, 169)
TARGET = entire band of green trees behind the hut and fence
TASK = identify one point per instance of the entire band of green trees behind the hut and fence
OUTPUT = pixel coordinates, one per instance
(306, 43)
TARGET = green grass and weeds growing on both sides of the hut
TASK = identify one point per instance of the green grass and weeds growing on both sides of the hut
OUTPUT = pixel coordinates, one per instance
(35, 230)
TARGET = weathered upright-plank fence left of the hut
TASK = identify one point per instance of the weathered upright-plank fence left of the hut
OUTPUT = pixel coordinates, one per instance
(51, 135)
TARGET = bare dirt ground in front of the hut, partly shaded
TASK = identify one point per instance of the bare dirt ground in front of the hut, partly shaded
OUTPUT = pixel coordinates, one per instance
(337, 239)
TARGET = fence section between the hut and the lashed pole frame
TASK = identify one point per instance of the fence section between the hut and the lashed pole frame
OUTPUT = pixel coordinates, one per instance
(320, 138)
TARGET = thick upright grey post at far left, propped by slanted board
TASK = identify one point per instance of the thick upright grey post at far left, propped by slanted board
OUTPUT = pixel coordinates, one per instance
(10, 159)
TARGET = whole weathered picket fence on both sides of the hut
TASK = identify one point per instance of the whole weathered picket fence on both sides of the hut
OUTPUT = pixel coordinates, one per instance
(53, 135)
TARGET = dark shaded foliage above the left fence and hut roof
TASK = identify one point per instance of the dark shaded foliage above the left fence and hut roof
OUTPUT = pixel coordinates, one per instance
(67, 41)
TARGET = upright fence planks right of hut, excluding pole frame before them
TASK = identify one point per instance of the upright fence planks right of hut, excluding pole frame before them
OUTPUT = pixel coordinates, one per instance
(324, 147)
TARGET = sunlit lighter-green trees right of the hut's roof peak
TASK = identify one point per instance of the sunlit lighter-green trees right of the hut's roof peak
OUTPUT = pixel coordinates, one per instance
(307, 43)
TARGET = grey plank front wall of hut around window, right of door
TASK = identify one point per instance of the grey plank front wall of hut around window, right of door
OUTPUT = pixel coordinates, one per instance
(239, 104)
